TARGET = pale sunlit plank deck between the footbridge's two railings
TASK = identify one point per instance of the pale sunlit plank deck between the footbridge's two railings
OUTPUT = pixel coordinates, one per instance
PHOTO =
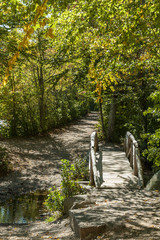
(117, 172)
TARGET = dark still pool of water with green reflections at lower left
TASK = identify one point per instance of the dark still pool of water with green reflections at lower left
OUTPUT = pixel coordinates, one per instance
(24, 209)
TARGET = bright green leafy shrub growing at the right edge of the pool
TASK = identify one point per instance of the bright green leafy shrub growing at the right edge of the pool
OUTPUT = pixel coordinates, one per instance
(69, 187)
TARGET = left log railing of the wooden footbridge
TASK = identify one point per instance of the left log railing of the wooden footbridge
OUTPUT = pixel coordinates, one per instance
(95, 162)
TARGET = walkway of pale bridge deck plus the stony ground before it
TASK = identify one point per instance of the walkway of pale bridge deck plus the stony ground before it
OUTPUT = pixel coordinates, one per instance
(118, 209)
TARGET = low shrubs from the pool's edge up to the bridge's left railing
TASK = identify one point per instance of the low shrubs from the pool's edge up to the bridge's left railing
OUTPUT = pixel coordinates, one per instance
(69, 187)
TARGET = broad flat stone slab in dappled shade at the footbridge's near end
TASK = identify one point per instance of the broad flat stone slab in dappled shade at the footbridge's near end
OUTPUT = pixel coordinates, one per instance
(132, 210)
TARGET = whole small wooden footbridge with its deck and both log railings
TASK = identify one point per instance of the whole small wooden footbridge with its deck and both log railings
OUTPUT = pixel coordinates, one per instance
(114, 168)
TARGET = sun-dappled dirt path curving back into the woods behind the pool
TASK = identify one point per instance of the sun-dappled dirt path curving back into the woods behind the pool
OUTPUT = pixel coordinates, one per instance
(36, 160)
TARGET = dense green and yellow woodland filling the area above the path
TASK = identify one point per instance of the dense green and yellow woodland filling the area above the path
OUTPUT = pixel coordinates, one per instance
(61, 59)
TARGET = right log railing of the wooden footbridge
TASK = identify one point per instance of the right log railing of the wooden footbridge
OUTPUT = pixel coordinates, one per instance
(133, 154)
